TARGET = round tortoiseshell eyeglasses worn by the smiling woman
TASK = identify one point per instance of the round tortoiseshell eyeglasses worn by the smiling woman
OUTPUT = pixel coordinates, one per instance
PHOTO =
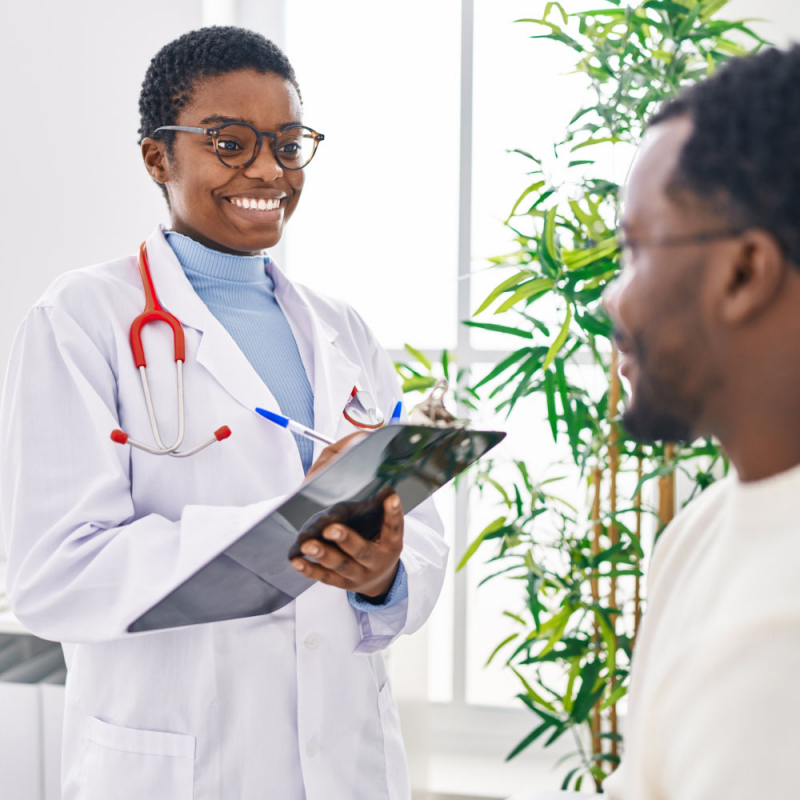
(237, 144)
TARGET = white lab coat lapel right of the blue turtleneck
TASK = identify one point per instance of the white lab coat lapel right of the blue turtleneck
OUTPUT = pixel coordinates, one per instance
(334, 375)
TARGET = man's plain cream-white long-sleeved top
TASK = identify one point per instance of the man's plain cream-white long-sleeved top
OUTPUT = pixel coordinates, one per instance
(715, 693)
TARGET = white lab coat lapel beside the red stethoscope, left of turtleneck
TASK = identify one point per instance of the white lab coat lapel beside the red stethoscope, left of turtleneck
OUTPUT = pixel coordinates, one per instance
(217, 352)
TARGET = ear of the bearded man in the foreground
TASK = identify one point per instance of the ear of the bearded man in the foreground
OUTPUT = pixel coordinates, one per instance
(752, 279)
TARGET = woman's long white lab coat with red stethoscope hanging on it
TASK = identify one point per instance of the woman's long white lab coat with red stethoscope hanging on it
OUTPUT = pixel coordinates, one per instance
(288, 706)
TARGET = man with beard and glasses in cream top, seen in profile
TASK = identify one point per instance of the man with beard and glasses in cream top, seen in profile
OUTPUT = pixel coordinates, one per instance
(707, 314)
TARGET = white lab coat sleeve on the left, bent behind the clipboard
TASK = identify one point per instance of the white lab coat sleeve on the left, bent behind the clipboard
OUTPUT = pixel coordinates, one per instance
(80, 568)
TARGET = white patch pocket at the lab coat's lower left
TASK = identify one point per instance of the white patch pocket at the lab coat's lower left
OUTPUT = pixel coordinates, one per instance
(130, 764)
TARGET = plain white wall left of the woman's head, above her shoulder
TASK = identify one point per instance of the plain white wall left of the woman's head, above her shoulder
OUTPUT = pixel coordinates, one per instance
(74, 188)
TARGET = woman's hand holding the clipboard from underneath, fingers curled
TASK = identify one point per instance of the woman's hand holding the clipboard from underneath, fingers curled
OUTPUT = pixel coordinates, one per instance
(352, 562)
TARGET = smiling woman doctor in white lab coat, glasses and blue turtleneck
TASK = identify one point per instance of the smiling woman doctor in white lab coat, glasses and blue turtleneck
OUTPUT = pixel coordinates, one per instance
(294, 705)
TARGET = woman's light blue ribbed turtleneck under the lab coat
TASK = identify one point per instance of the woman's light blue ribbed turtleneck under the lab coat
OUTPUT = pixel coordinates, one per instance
(241, 295)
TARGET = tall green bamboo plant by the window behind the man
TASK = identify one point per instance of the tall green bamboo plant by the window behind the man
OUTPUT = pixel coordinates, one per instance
(579, 569)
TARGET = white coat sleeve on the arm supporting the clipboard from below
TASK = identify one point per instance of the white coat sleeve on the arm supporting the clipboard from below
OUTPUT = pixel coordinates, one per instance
(424, 555)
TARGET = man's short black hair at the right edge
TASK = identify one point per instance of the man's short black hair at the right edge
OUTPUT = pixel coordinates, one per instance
(744, 152)
